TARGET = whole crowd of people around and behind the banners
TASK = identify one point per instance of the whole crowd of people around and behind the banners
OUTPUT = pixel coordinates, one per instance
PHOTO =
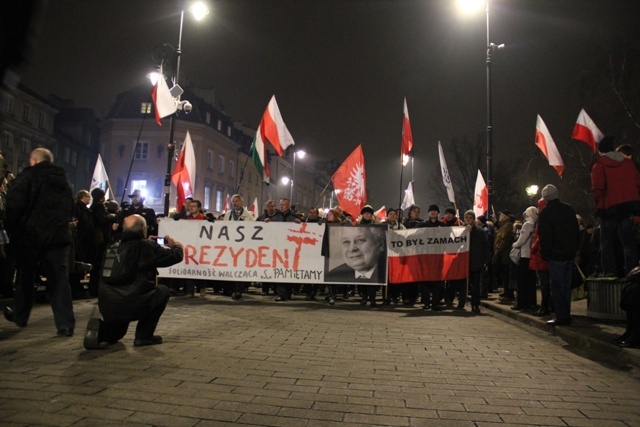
(550, 248)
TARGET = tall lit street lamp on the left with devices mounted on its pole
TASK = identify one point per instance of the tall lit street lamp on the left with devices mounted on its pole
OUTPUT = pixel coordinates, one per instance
(166, 52)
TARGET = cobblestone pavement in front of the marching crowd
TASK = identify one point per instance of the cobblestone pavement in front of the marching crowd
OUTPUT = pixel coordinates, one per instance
(261, 363)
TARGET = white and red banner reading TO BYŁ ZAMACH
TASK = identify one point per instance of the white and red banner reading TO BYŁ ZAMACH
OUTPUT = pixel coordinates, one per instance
(428, 254)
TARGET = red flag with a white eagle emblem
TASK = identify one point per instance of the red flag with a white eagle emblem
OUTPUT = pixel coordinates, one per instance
(349, 183)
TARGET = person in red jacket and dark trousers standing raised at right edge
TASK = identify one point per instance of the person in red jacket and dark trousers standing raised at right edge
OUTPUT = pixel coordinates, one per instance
(615, 183)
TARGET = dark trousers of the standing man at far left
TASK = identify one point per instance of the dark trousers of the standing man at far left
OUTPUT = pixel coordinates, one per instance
(54, 265)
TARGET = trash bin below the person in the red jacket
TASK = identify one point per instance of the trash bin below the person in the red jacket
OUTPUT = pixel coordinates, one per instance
(603, 299)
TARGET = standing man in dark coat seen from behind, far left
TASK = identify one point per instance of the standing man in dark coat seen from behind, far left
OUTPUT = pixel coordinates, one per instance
(39, 208)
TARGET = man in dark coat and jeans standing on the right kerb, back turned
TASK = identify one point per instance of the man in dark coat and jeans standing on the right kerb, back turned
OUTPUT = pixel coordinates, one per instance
(559, 234)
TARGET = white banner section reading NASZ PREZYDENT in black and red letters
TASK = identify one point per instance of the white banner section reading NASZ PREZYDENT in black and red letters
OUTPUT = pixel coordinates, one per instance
(248, 251)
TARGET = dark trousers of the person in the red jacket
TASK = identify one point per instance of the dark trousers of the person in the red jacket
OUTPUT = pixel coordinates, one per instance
(610, 231)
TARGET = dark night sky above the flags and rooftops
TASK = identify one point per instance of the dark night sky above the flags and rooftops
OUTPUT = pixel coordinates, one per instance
(340, 68)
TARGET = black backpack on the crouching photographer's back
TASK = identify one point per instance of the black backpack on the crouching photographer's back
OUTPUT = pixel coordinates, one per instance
(120, 265)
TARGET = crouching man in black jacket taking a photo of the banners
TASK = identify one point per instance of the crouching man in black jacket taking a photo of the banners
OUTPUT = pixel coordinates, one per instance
(127, 287)
